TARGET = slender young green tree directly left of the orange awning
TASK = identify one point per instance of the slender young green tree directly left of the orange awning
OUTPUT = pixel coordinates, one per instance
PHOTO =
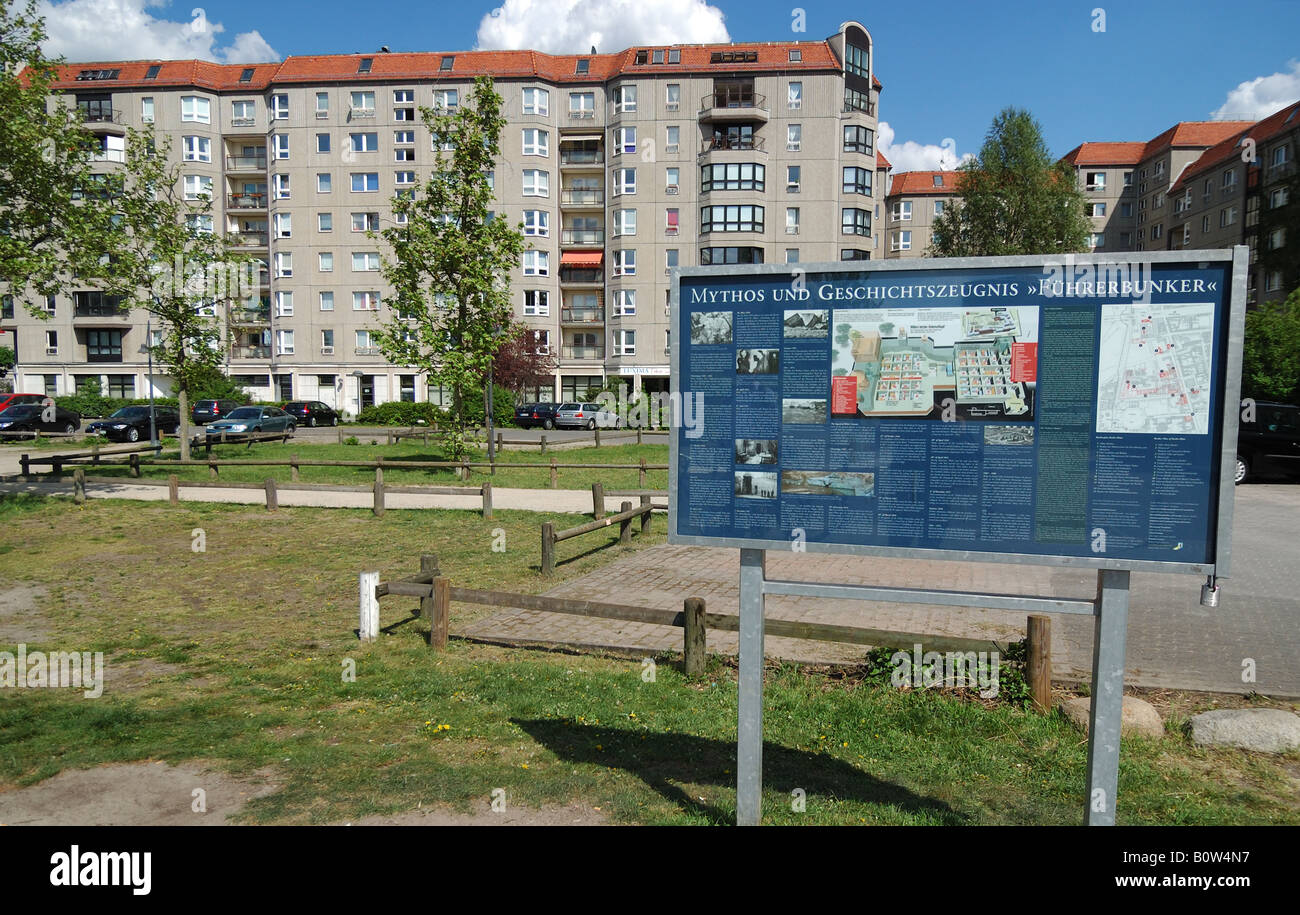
(450, 262)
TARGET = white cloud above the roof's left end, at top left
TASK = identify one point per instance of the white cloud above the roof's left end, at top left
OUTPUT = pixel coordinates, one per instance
(86, 31)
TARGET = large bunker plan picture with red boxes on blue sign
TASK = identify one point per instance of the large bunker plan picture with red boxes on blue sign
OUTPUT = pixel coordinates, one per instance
(894, 362)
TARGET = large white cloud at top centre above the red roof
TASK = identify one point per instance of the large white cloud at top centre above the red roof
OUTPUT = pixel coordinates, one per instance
(575, 27)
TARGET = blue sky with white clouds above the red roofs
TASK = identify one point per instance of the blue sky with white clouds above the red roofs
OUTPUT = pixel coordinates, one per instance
(948, 67)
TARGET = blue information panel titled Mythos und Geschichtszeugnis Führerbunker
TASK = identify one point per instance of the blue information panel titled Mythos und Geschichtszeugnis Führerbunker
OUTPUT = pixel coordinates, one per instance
(1055, 410)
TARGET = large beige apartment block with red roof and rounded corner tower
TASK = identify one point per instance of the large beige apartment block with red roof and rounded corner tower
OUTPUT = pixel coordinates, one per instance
(619, 167)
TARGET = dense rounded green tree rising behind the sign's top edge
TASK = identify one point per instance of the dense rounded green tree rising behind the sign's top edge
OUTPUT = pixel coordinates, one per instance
(1015, 198)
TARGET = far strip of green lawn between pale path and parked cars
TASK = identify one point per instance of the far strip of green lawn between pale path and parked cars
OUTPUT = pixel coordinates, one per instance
(526, 478)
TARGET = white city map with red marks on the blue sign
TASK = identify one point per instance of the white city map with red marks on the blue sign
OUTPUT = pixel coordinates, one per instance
(1154, 374)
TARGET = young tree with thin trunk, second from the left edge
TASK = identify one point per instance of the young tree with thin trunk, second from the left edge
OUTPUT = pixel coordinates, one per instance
(170, 262)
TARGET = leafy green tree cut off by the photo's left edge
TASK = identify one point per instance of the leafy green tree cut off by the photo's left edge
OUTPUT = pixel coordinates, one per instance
(49, 233)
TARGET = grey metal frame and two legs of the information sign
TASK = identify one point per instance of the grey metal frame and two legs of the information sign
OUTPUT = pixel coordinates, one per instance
(1110, 609)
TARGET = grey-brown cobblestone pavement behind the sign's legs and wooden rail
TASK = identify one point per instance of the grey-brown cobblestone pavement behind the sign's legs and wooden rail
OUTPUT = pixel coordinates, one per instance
(1173, 641)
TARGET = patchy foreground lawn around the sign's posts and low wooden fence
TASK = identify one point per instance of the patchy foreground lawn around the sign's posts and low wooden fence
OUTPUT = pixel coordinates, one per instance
(233, 657)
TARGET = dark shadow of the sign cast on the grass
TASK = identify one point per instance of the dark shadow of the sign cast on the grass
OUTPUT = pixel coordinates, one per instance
(664, 762)
